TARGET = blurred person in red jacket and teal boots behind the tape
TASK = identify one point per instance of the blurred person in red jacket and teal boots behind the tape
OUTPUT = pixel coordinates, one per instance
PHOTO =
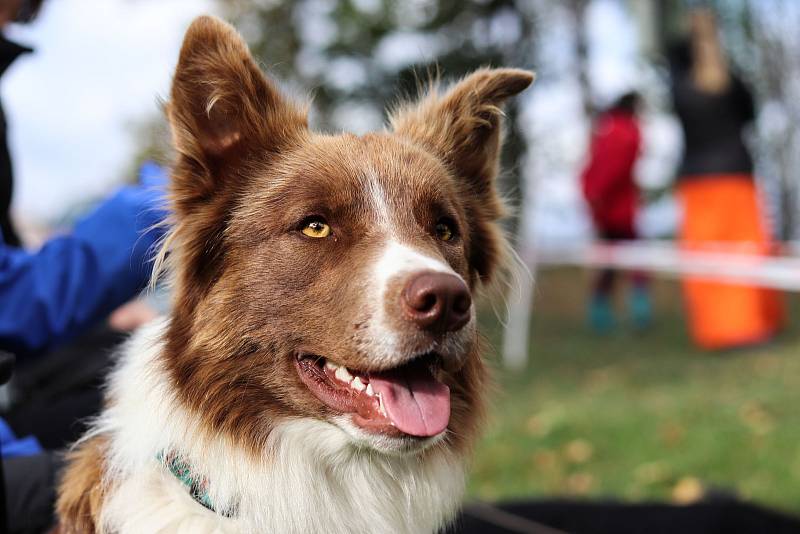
(612, 195)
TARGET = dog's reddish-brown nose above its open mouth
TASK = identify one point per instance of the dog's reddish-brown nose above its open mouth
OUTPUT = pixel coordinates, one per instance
(437, 302)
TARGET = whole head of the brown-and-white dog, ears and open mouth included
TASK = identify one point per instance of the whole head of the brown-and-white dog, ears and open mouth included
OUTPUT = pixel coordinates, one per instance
(329, 276)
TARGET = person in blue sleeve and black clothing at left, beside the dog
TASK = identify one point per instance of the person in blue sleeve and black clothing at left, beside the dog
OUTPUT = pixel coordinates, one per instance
(50, 299)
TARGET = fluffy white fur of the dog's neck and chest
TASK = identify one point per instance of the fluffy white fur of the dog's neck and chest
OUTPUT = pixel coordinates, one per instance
(310, 478)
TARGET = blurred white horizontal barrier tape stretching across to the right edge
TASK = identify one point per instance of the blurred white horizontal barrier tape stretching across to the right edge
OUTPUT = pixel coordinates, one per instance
(719, 262)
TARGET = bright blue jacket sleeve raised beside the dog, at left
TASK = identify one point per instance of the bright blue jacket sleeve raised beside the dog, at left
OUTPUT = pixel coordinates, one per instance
(57, 292)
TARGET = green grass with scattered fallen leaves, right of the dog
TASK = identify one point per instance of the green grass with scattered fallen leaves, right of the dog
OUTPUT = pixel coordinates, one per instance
(640, 416)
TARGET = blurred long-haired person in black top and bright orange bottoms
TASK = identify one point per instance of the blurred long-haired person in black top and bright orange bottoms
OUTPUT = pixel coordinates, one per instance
(717, 190)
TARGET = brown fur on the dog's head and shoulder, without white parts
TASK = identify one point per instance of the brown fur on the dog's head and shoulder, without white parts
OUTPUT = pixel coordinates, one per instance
(250, 293)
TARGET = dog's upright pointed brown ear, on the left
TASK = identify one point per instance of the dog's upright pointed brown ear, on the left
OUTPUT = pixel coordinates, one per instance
(221, 106)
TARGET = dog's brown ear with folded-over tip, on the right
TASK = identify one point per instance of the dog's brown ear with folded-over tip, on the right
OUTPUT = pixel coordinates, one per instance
(463, 126)
